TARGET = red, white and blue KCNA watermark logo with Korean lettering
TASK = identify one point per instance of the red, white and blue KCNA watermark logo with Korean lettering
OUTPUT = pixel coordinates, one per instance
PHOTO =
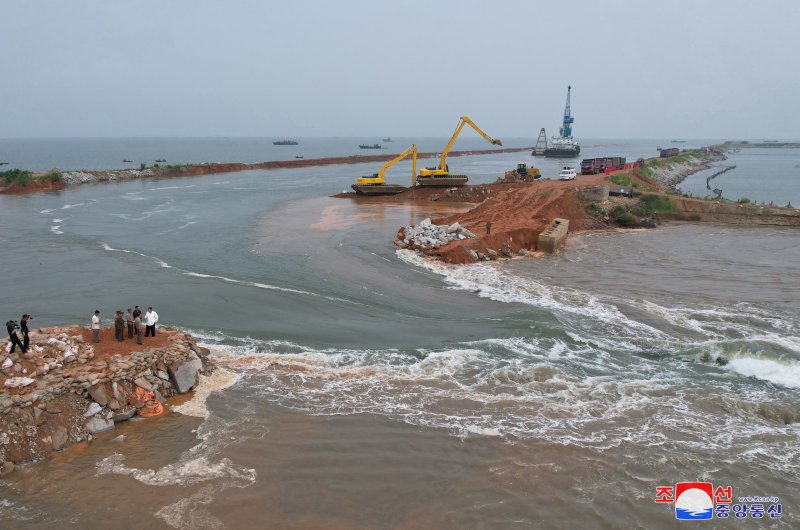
(695, 501)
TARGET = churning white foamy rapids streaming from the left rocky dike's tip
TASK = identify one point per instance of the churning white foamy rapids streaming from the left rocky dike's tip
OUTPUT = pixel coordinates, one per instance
(566, 391)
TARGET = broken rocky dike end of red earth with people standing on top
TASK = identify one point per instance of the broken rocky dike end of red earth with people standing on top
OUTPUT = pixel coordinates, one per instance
(62, 392)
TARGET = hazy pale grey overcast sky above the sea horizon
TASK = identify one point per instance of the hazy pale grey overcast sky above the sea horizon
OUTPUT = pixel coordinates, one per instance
(688, 69)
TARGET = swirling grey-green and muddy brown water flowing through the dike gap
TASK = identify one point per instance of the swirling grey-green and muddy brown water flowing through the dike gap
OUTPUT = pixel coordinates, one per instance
(366, 387)
